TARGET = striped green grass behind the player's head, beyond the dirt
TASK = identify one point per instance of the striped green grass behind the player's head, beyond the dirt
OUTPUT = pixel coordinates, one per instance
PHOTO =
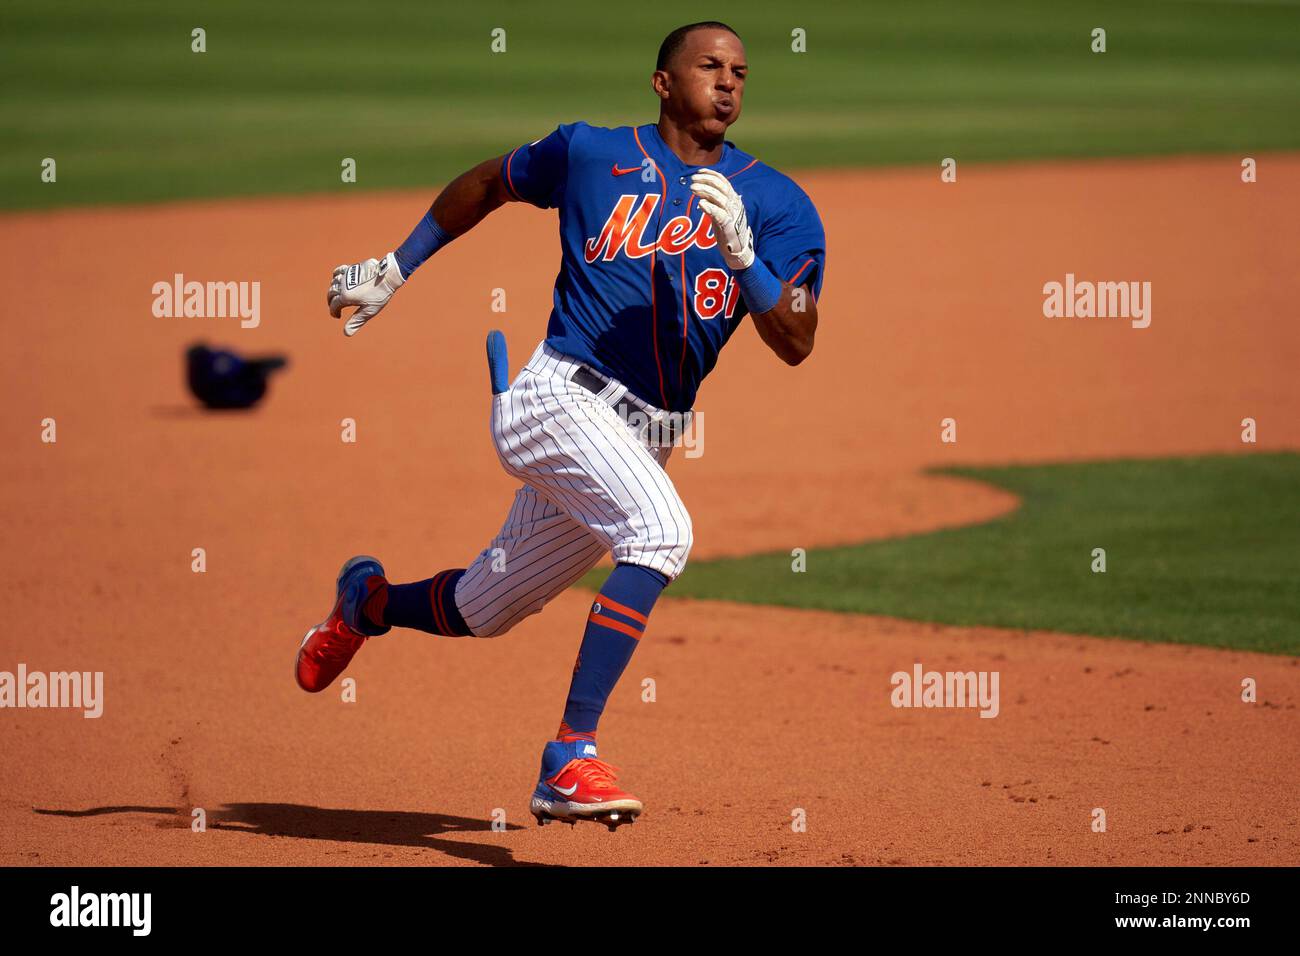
(414, 94)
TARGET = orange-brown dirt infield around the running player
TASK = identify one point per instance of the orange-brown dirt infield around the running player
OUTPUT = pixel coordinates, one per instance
(933, 309)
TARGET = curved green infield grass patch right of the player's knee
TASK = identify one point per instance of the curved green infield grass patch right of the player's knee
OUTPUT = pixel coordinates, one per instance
(1199, 551)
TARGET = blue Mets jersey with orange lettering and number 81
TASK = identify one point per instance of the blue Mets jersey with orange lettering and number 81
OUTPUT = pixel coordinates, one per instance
(644, 295)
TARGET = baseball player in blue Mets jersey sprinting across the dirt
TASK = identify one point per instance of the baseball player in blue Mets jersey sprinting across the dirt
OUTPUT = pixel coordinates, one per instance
(670, 236)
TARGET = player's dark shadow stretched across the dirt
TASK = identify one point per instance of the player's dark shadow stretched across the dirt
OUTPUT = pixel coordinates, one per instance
(375, 828)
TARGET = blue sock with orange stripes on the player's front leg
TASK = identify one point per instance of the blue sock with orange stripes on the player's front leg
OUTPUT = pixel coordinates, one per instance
(619, 617)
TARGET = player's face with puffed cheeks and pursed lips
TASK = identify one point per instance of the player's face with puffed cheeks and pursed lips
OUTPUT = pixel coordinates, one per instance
(707, 81)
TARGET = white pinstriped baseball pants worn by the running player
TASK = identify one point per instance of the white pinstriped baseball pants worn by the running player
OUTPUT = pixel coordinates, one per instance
(591, 487)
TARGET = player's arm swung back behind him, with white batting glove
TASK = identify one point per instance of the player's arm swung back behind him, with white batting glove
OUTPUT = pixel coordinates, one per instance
(462, 205)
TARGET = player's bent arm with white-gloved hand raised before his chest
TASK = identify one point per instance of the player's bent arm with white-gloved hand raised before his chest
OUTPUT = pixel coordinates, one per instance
(785, 315)
